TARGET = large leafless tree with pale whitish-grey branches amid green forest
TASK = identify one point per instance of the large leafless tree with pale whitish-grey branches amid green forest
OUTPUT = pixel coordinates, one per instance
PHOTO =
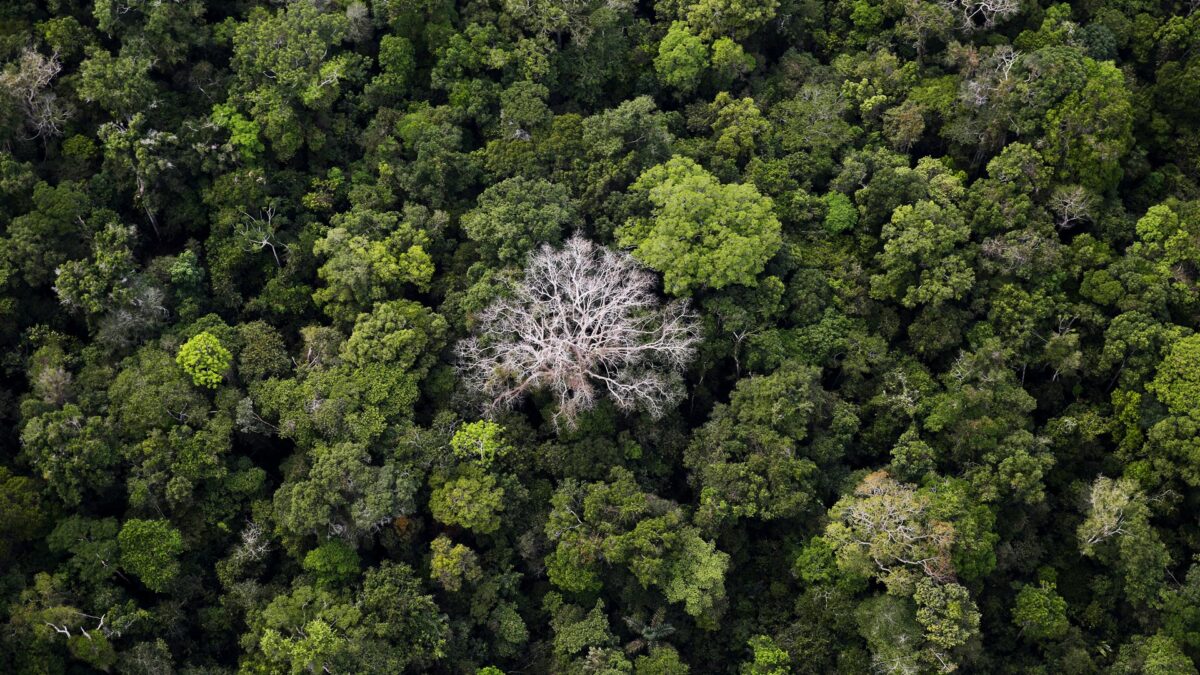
(583, 322)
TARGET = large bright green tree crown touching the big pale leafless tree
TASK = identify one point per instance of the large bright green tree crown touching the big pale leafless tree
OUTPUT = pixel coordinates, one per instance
(701, 234)
